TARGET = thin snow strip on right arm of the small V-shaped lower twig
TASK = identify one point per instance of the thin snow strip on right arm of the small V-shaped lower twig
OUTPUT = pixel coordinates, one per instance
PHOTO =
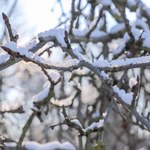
(95, 125)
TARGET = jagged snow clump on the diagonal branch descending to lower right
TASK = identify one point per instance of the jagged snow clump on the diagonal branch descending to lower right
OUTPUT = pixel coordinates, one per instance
(126, 97)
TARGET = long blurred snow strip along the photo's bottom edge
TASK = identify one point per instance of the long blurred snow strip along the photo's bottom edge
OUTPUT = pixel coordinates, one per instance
(49, 146)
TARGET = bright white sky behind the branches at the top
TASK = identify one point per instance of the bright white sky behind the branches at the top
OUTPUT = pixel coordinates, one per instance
(36, 15)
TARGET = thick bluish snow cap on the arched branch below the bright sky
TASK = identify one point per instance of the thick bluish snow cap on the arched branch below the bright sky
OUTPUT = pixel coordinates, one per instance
(59, 34)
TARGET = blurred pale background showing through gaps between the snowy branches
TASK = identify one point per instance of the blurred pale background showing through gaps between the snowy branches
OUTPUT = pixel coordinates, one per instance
(20, 82)
